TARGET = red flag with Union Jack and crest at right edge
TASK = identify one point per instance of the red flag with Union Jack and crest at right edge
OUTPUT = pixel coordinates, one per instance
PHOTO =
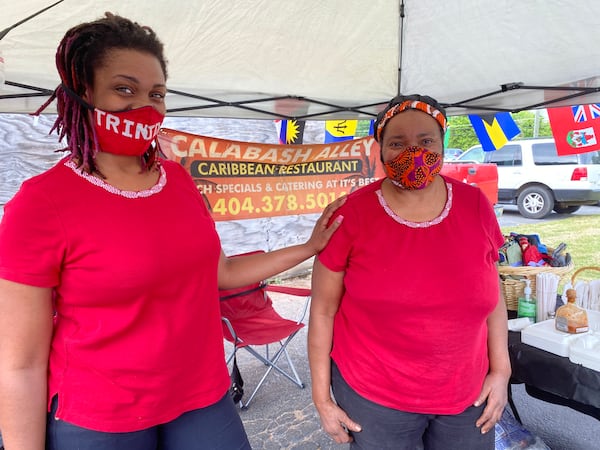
(576, 129)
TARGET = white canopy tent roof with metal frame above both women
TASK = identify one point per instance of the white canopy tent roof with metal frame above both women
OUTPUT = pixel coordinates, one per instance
(330, 59)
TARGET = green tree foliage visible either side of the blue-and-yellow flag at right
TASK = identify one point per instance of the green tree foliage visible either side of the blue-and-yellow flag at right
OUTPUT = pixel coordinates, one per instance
(462, 135)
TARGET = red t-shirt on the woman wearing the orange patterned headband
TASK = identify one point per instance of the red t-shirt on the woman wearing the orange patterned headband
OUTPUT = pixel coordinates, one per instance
(411, 332)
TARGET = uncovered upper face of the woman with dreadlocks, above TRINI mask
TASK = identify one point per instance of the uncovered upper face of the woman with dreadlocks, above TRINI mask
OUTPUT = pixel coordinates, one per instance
(128, 79)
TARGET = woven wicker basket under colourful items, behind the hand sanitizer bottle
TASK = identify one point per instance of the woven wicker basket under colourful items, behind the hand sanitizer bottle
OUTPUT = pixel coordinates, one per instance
(513, 285)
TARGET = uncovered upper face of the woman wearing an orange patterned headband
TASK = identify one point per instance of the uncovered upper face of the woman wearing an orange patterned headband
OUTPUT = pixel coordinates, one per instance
(411, 128)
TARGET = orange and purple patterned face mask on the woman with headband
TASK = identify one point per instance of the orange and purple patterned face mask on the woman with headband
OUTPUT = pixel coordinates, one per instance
(414, 168)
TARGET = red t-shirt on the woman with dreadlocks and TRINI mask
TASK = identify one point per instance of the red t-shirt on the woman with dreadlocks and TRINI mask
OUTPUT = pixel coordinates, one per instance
(137, 338)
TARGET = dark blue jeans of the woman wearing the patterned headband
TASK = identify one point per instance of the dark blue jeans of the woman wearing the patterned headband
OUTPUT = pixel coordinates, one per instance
(386, 428)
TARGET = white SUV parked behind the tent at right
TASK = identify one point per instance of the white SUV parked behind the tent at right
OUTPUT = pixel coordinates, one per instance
(532, 176)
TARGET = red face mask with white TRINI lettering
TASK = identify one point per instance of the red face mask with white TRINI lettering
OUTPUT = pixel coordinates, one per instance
(128, 133)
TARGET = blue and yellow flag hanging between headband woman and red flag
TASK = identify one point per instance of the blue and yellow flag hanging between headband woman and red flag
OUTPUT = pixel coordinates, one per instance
(494, 130)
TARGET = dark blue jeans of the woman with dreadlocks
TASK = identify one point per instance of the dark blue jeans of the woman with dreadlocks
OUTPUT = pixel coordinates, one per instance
(215, 427)
